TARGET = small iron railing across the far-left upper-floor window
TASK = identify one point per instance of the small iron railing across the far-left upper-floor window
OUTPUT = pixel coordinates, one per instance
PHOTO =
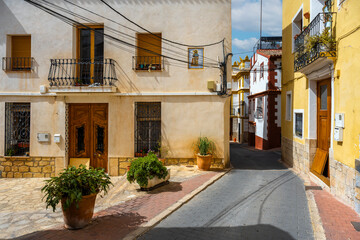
(17, 63)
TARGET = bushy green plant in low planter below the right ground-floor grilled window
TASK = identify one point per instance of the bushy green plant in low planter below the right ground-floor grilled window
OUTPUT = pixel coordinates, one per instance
(145, 168)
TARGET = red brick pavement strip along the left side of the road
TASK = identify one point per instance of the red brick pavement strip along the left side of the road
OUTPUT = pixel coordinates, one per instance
(118, 221)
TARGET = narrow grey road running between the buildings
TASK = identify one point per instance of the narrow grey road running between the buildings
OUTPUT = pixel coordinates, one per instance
(258, 199)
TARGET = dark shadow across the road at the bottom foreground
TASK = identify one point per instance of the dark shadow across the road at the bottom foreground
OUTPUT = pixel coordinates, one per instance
(251, 232)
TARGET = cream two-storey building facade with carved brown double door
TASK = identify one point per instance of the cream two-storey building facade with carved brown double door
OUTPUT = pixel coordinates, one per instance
(82, 87)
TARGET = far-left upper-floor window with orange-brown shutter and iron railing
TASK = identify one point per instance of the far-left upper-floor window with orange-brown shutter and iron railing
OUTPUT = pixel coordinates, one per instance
(20, 58)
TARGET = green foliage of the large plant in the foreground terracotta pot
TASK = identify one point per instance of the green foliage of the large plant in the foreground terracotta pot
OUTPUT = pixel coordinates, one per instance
(73, 183)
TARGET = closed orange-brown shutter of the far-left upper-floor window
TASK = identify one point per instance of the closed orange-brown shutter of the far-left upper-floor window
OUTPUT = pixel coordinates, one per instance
(21, 52)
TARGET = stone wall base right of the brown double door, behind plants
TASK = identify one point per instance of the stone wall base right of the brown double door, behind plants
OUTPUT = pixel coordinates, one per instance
(118, 165)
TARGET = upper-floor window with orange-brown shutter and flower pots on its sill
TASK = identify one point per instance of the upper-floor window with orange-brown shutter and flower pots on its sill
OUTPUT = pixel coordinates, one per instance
(148, 52)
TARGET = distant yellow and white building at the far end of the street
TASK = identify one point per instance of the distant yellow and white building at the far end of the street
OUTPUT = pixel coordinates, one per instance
(239, 100)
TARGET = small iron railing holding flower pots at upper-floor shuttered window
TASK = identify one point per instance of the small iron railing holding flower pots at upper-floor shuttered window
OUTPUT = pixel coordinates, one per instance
(148, 63)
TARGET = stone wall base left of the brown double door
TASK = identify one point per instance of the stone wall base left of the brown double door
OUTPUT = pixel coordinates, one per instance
(27, 167)
